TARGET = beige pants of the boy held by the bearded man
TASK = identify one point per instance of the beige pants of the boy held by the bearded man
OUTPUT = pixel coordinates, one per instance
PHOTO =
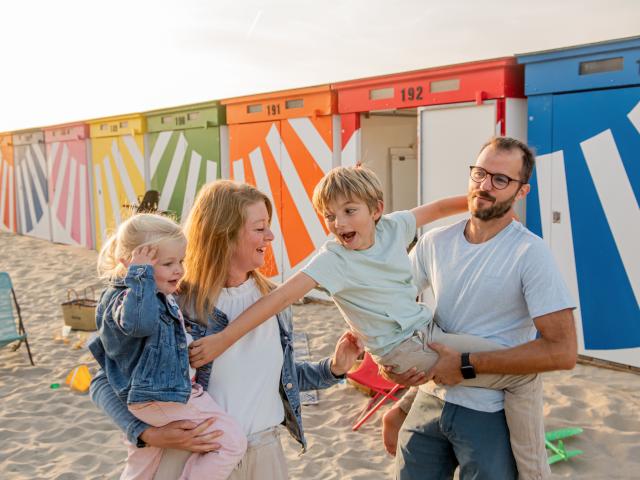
(523, 402)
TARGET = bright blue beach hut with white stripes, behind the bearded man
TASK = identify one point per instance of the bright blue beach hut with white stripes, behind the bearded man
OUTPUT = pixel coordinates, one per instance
(584, 121)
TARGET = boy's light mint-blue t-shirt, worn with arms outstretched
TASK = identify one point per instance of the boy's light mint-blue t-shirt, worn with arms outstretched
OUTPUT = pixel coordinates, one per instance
(373, 288)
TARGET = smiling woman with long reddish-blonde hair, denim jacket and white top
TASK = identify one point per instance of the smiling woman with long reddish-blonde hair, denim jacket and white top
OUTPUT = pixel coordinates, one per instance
(257, 381)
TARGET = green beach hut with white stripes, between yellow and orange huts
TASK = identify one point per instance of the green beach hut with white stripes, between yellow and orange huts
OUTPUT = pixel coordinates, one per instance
(185, 146)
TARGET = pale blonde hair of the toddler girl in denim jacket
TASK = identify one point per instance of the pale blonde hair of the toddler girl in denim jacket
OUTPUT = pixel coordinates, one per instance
(140, 229)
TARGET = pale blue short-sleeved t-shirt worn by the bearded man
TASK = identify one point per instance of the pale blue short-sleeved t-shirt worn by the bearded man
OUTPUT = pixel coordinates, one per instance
(493, 290)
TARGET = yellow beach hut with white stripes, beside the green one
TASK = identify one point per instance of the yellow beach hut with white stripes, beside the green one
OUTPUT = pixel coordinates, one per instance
(118, 168)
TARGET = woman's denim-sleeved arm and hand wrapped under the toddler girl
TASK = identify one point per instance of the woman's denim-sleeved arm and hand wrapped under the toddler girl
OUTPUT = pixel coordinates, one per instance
(182, 434)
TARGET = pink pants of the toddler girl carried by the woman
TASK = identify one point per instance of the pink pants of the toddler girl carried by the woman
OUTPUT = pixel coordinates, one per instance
(142, 463)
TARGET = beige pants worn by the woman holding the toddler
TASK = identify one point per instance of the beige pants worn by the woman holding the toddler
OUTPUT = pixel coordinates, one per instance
(264, 460)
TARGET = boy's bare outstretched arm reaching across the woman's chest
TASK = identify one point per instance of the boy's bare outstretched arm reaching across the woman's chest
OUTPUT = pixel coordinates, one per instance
(208, 348)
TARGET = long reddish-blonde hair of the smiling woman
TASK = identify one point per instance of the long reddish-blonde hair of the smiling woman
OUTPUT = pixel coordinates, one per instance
(212, 229)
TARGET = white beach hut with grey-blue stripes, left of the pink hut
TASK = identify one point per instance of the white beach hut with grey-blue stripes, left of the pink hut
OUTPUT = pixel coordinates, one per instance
(31, 182)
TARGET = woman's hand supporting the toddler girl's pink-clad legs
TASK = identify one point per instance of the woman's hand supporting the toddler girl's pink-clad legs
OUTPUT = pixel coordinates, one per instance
(183, 435)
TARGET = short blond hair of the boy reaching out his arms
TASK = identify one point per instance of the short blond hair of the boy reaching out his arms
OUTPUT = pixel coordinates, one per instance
(351, 183)
